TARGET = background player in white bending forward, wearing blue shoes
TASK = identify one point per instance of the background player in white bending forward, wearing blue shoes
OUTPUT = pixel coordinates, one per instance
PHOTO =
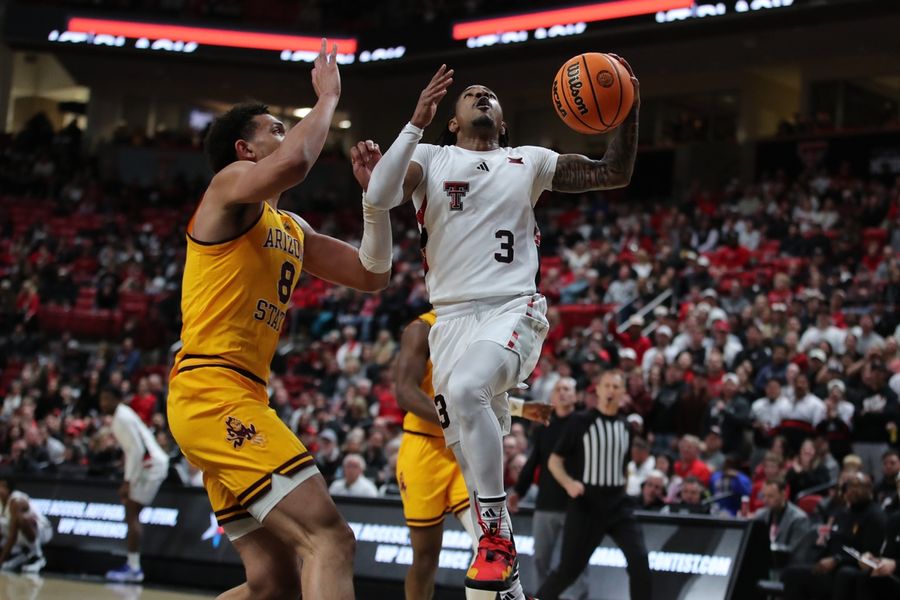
(146, 466)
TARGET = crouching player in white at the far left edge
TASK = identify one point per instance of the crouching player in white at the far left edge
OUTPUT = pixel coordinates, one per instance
(24, 530)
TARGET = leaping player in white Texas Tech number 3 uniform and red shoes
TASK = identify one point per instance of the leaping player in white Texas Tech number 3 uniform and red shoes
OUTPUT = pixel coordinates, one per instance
(474, 199)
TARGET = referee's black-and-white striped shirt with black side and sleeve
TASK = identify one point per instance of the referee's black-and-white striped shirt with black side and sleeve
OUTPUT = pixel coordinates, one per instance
(596, 449)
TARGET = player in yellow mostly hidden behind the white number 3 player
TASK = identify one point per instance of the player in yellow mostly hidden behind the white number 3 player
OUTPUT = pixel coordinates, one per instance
(431, 482)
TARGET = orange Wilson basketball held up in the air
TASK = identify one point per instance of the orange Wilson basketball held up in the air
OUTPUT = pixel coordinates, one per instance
(592, 93)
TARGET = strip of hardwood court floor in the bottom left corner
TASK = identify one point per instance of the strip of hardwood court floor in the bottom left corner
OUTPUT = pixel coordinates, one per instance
(31, 587)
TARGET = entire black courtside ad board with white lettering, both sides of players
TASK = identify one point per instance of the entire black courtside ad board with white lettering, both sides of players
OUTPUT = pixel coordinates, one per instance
(690, 556)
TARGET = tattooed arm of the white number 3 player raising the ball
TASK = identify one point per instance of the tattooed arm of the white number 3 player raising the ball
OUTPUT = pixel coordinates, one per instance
(577, 173)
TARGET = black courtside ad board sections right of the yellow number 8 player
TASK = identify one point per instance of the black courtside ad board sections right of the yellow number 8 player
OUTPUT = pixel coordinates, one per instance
(690, 556)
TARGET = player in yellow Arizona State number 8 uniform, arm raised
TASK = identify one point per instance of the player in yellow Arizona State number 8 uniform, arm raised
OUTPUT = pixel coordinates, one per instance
(244, 257)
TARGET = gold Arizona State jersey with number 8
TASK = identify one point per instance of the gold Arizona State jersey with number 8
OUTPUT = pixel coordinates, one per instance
(235, 294)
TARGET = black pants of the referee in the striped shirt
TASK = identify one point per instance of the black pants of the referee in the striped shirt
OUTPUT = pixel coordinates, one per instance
(588, 519)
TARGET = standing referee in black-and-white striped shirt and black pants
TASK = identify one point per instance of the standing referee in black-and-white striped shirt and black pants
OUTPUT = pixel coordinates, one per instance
(589, 462)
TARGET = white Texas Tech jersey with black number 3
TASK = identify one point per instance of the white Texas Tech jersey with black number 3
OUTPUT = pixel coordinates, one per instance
(475, 212)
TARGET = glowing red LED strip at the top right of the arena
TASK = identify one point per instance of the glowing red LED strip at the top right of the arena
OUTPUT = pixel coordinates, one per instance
(556, 22)
